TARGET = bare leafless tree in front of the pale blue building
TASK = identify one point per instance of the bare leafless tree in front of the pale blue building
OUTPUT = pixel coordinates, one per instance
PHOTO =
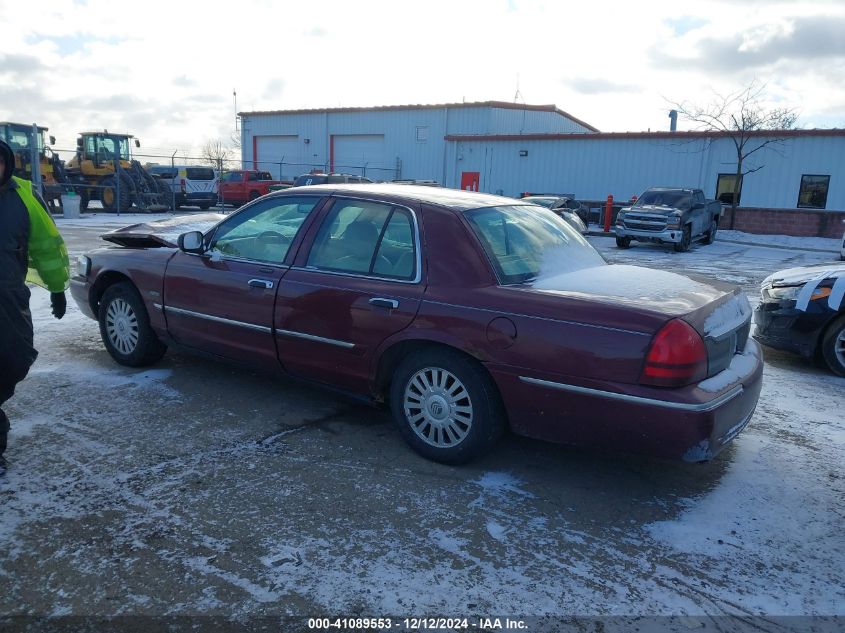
(742, 116)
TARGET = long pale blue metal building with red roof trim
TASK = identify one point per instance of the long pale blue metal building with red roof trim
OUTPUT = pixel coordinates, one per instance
(511, 148)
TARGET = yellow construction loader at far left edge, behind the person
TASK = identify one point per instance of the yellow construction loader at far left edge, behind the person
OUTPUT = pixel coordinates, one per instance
(22, 139)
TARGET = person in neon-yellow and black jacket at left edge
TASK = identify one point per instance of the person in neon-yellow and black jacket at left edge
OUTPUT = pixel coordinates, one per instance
(31, 250)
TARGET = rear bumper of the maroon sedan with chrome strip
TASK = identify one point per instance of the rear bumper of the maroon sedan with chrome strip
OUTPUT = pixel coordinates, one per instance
(693, 423)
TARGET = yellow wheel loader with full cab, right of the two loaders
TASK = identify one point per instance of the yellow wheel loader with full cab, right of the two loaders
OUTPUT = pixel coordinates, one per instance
(105, 170)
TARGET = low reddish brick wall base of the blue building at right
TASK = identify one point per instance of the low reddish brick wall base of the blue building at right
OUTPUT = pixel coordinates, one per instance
(797, 222)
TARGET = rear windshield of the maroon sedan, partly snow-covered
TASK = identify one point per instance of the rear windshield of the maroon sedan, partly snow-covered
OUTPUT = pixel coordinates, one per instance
(524, 243)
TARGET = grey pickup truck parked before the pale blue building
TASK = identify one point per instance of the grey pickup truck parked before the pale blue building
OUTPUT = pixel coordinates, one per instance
(668, 215)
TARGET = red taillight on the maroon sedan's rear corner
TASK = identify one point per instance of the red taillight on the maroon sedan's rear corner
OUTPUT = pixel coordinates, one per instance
(677, 357)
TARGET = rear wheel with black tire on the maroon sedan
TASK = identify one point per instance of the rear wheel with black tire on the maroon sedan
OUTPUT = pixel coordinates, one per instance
(466, 384)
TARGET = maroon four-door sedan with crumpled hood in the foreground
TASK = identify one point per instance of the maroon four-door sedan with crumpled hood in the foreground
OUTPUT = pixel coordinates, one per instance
(466, 313)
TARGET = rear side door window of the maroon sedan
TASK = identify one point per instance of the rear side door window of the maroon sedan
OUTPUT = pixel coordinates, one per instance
(366, 238)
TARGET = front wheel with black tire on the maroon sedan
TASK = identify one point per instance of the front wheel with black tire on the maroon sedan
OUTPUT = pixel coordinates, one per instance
(121, 314)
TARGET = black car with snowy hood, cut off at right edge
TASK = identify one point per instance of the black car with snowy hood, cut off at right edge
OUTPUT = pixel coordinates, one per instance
(802, 310)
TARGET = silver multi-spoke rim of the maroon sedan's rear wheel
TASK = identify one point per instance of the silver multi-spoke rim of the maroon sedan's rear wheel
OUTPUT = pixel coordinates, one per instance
(438, 407)
